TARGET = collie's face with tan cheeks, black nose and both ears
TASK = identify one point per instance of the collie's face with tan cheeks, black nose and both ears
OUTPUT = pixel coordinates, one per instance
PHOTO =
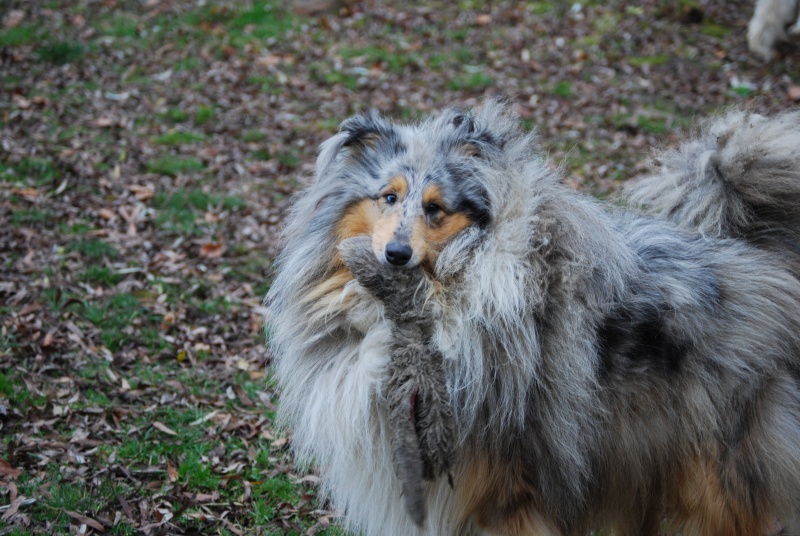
(414, 188)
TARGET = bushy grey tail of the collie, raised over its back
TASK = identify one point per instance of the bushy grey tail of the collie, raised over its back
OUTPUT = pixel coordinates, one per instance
(739, 177)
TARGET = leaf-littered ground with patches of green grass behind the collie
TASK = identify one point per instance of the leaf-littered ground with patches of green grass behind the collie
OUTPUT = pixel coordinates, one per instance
(148, 150)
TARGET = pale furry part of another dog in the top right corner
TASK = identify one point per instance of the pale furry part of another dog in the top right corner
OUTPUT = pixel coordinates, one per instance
(773, 22)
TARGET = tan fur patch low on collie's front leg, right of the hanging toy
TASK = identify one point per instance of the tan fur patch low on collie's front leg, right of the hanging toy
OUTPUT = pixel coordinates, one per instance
(493, 496)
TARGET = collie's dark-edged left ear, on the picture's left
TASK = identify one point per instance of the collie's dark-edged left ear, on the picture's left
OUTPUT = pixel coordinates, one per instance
(356, 135)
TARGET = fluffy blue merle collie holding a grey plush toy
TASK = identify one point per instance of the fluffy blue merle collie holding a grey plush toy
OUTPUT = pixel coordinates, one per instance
(631, 367)
